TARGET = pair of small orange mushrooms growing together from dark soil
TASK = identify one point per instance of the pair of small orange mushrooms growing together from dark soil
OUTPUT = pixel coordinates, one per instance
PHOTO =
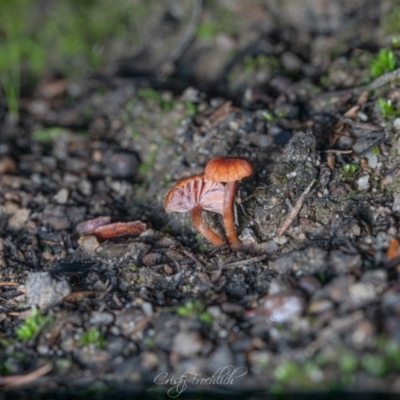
(207, 193)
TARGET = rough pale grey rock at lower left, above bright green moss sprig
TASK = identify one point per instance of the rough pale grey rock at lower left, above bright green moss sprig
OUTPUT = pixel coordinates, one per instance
(44, 290)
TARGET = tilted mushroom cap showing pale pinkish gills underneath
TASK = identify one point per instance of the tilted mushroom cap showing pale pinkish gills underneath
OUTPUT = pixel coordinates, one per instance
(189, 192)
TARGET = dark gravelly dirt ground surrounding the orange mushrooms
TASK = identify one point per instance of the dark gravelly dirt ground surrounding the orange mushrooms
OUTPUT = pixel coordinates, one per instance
(310, 95)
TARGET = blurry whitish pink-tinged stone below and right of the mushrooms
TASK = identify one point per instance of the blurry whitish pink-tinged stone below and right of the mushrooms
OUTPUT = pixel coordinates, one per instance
(282, 307)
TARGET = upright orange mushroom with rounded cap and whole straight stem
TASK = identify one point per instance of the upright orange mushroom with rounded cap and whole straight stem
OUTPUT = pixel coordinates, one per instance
(229, 170)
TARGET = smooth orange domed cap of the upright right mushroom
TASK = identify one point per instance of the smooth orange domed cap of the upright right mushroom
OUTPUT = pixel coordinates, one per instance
(227, 169)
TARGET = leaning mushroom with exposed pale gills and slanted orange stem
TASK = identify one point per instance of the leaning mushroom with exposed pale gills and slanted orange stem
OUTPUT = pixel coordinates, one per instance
(194, 195)
